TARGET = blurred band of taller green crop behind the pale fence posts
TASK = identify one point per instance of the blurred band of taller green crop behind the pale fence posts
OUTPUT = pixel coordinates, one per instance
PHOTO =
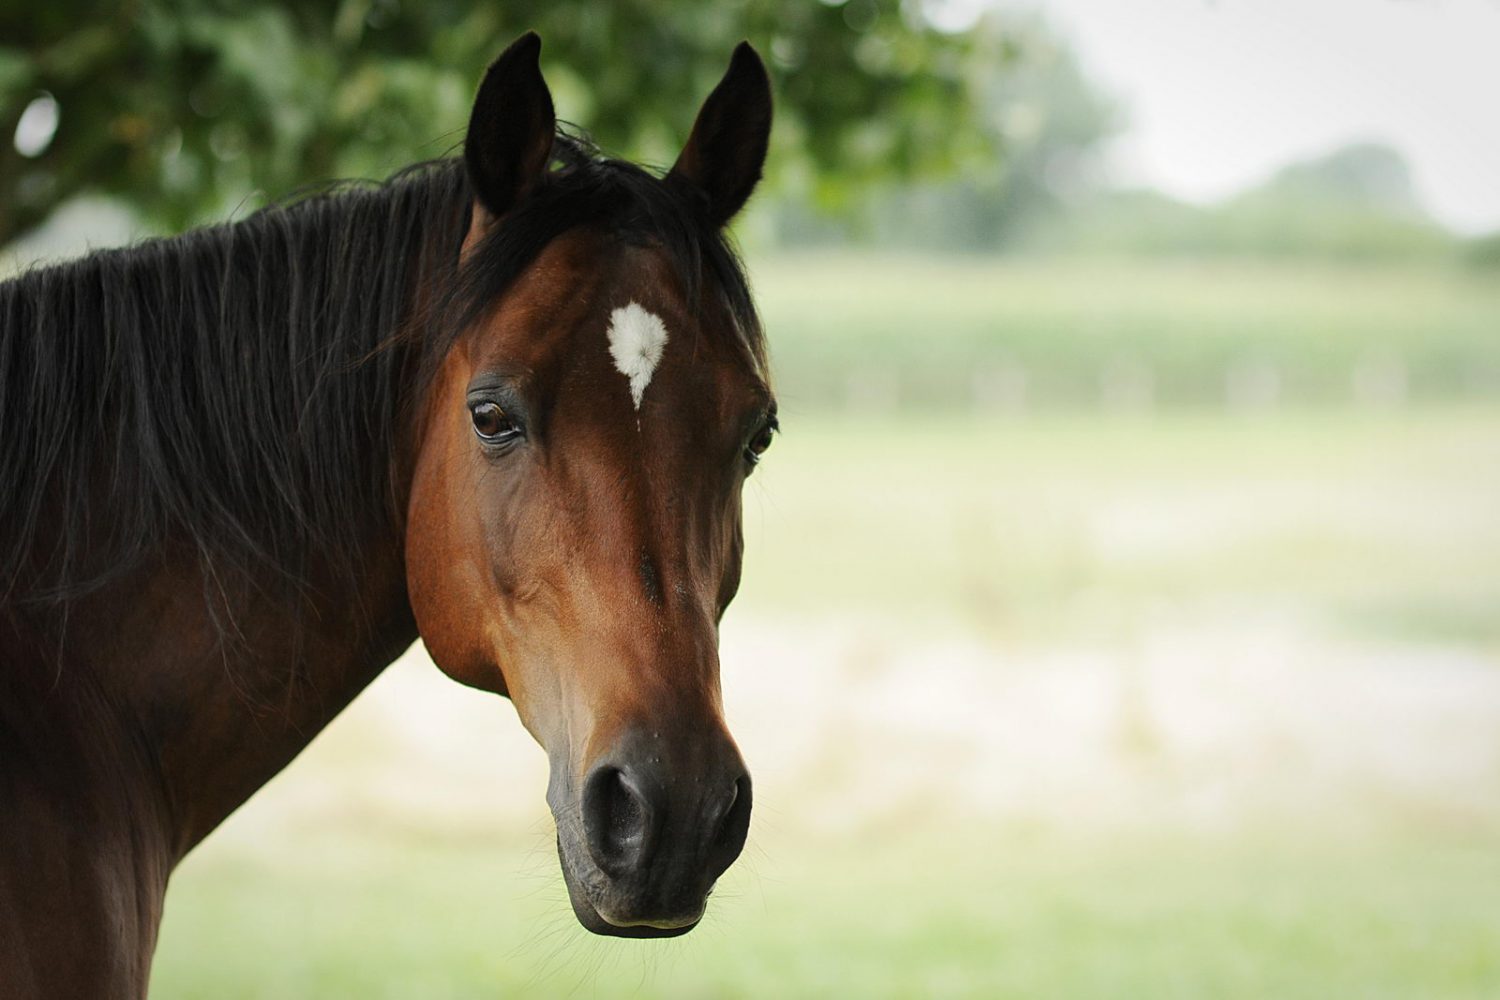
(931, 328)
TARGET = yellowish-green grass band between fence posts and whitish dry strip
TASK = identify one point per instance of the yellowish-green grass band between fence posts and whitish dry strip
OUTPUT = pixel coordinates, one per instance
(1379, 521)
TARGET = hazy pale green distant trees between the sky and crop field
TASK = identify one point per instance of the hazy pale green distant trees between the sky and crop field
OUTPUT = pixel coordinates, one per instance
(1048, 194)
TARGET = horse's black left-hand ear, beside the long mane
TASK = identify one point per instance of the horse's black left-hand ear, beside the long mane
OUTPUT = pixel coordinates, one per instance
(511, 130)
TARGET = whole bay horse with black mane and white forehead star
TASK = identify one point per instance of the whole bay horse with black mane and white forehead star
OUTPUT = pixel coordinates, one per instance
(505, 403)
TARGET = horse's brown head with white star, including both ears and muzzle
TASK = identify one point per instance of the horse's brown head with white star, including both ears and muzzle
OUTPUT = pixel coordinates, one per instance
(574, 531)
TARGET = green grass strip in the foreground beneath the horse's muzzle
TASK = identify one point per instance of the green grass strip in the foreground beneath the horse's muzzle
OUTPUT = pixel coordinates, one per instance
(928, 914)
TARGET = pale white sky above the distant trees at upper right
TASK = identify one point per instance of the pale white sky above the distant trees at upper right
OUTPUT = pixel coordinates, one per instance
(1220, 94)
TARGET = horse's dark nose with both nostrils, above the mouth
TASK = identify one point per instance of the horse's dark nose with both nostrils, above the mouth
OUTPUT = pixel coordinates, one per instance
(637, 809)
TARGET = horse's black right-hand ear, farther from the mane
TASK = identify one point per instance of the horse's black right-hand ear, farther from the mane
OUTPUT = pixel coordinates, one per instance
(727, 151)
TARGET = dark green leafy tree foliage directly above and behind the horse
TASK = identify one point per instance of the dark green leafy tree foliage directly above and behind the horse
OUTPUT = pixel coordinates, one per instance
(184, 109)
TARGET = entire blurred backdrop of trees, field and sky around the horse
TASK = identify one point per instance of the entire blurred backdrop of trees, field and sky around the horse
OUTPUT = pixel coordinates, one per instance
(1121, 612)
